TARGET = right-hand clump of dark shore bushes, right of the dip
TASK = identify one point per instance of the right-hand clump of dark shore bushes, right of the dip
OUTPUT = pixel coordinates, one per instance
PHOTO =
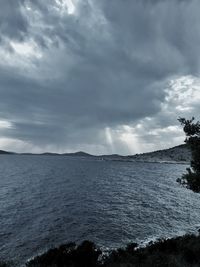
(175, 252)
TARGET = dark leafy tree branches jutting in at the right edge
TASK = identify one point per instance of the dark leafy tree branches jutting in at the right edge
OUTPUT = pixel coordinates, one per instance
(192, 130)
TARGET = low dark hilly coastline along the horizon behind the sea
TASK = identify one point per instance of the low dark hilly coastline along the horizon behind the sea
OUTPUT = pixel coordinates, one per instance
(177, 154)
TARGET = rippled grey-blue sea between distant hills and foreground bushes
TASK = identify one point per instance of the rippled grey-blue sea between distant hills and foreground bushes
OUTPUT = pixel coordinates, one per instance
(49, 200)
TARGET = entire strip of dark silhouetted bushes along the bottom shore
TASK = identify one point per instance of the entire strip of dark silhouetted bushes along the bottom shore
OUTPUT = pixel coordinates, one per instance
(176, 252)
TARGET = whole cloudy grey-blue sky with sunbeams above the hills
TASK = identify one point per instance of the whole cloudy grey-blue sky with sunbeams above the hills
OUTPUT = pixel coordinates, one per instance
(98, 76)
